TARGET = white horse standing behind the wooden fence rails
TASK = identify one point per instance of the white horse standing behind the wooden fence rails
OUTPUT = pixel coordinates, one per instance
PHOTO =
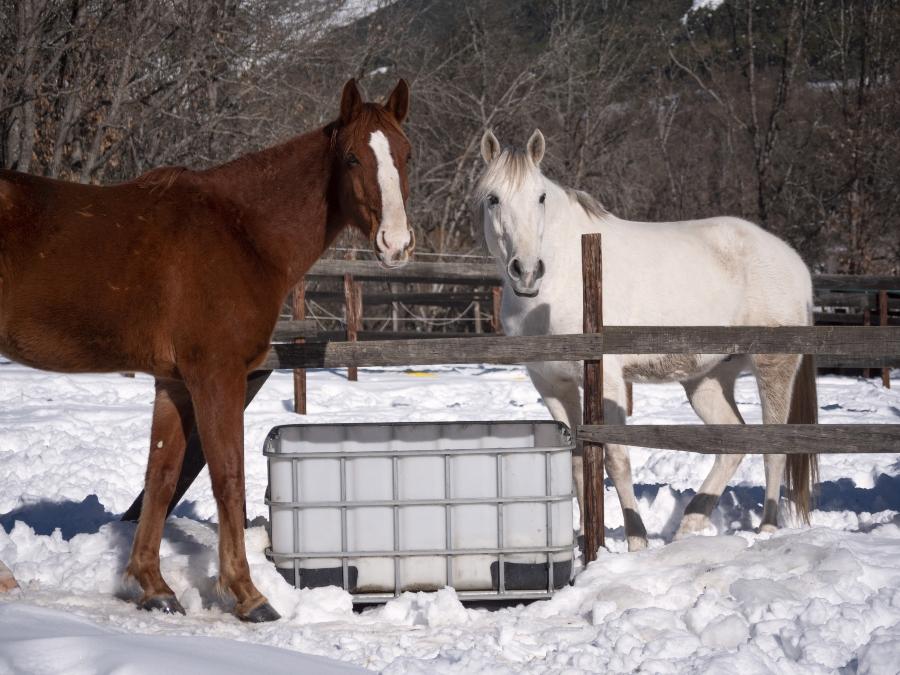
(715, 272)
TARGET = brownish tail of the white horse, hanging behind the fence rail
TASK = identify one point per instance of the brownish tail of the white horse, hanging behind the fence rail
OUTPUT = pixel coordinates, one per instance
(802, 470)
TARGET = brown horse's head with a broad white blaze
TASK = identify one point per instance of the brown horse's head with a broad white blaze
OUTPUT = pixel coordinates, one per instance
(371, 154)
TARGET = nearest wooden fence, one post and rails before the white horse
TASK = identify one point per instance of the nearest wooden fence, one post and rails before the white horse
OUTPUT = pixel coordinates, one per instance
(874, 345)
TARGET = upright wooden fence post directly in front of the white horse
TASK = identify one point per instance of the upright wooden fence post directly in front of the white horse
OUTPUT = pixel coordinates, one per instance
(592, 275)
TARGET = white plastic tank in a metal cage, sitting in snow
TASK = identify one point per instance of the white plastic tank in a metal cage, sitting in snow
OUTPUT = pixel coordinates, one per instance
(530, 571)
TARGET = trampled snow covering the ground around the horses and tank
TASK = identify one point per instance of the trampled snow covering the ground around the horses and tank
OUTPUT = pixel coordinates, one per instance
(72, 456)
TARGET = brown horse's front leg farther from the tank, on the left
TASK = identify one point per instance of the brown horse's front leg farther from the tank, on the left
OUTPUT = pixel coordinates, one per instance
(172, 420)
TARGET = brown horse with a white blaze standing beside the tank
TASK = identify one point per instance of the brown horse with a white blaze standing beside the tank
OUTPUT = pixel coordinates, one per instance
(181, 274)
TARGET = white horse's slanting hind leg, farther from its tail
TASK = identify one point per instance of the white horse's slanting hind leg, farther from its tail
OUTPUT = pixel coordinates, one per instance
(712, 398)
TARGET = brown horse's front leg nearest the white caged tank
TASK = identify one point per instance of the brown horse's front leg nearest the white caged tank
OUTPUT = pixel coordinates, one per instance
(219, 407)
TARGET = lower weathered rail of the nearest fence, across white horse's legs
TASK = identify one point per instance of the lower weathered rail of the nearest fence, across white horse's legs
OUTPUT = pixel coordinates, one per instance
(759, 439)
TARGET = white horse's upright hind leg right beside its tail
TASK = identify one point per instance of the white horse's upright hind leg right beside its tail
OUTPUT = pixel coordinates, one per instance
(774, 376)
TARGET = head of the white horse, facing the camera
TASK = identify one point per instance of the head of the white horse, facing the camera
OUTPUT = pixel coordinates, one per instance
(510, 198)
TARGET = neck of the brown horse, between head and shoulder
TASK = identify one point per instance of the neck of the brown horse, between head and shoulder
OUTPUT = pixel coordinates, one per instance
(281, 196)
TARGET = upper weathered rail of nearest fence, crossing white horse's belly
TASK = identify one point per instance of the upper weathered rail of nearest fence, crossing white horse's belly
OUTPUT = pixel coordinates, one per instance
(879, 342)
